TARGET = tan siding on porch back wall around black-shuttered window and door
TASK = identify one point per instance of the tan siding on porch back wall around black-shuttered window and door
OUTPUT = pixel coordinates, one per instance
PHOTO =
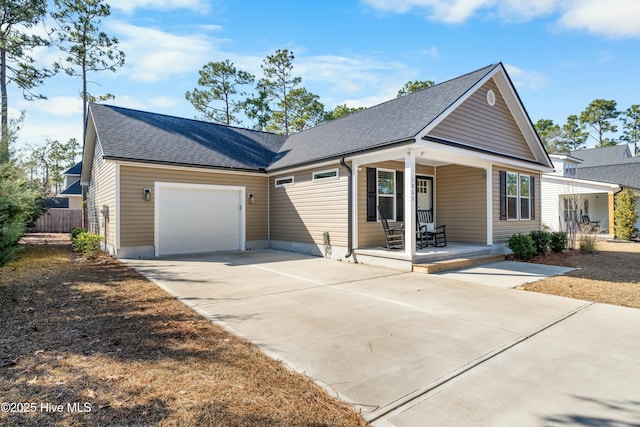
(369, 232)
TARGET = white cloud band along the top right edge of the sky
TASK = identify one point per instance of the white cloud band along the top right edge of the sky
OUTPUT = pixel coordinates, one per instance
(613, 18)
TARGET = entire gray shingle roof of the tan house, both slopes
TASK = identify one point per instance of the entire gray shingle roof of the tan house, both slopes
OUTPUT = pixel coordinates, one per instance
(149, 137)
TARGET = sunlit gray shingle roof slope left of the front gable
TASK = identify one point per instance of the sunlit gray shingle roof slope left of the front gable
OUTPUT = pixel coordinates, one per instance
(399, 119)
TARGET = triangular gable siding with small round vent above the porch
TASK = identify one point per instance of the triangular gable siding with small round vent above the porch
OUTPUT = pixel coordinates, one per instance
(477, 124)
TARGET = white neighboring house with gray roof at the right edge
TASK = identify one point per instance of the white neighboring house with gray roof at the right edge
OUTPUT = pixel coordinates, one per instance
(584, 185)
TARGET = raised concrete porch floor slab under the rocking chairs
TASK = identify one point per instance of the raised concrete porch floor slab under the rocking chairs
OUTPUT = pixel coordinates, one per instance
(399, 260)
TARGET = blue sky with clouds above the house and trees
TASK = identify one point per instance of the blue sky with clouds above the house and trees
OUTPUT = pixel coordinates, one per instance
(560, 54)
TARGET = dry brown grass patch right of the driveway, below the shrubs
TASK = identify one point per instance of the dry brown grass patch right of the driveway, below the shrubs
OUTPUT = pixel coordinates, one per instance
(608, 275)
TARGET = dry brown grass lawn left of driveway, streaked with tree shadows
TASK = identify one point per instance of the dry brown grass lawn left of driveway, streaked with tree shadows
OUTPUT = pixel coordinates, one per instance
(97, 332)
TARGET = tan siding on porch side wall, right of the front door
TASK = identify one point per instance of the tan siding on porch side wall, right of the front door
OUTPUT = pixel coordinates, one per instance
(462, 203)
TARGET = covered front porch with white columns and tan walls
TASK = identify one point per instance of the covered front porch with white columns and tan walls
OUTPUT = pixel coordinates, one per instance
(458, 187)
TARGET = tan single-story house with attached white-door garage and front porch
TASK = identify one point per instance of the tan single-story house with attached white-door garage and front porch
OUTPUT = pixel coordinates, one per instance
(466, 148)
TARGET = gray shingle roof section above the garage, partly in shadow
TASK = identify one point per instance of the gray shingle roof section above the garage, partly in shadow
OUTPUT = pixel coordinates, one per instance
(142, 136)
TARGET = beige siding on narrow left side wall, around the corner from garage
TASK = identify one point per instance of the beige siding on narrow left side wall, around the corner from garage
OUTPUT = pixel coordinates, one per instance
(102, 192)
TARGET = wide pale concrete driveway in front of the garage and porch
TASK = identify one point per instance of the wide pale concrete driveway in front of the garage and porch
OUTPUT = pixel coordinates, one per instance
(407, 349)
